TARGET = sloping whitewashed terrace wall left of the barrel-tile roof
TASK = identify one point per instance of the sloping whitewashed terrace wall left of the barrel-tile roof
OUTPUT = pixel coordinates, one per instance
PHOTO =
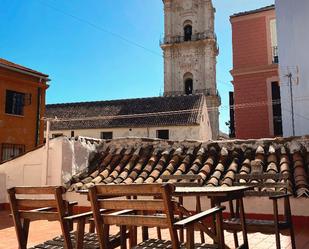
(31, 170)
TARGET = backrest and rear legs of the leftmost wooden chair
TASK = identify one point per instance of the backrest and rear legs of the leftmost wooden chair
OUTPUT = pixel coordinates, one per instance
(37, 203)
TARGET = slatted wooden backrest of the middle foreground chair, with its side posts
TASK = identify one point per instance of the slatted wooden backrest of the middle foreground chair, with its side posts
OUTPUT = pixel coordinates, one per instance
(139, 210)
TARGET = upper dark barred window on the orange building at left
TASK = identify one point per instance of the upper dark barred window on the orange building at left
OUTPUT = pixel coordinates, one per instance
(14, 103)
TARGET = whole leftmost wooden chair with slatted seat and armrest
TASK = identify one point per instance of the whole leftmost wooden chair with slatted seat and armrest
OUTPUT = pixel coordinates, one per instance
(46, 203)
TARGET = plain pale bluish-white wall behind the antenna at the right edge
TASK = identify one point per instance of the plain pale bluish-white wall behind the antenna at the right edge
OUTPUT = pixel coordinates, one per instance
(293, 39)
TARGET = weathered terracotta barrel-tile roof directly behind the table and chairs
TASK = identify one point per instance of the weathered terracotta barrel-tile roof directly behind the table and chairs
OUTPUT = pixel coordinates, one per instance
(130, 161)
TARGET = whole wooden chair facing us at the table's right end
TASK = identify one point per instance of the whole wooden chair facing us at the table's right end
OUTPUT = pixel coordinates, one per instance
(273, 186)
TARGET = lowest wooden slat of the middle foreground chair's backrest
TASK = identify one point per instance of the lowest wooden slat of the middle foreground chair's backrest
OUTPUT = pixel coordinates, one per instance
(135, 220)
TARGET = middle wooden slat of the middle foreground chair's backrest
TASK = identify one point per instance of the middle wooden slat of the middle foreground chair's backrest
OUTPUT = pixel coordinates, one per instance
(133, 204)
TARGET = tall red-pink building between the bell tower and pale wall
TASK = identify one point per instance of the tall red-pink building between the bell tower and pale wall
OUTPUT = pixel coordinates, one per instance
(257, 105)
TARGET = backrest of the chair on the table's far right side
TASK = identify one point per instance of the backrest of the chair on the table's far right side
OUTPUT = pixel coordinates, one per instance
(265, 184)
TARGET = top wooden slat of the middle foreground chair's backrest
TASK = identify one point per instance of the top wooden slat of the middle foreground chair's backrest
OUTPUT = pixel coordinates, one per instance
(129, 190)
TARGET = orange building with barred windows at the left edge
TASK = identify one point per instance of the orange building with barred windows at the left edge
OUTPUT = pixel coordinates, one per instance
(22, 106)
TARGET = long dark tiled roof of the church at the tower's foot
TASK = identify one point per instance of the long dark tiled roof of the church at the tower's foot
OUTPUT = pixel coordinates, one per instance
(141, 112)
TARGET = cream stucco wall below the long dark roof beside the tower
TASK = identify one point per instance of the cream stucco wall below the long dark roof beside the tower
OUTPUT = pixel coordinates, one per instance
(199, 132)
